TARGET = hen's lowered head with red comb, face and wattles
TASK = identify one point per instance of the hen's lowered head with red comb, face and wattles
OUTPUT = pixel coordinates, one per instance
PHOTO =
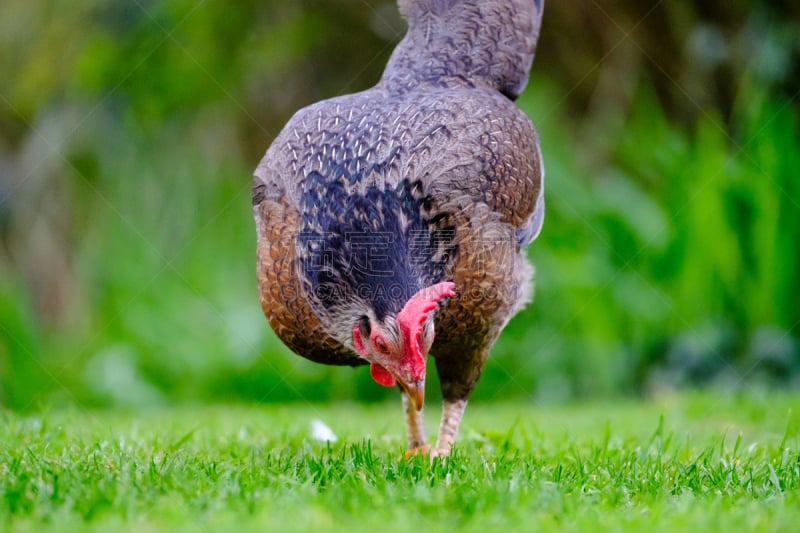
(397, 347)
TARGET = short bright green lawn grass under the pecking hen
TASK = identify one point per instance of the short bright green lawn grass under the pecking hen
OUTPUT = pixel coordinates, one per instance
(677, 463)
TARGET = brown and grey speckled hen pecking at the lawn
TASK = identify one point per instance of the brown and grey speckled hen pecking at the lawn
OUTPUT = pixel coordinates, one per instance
(392, 222)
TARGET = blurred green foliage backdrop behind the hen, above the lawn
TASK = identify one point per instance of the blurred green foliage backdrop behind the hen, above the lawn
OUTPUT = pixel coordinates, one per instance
(129, 131)
